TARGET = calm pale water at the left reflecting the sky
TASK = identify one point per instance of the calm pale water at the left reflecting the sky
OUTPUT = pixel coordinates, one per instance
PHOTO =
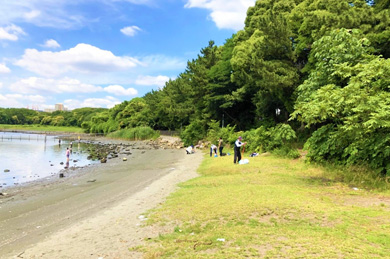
(30, 157)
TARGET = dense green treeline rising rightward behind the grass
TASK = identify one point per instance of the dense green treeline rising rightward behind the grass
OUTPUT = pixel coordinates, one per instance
(316, 70)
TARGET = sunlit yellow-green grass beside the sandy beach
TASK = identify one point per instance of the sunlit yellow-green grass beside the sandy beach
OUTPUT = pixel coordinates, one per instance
(271, 207)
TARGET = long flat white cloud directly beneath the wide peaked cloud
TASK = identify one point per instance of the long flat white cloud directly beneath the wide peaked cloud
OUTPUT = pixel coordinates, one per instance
(33, 85)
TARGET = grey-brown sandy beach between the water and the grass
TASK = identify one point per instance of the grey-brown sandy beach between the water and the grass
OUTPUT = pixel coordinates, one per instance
(93, 212)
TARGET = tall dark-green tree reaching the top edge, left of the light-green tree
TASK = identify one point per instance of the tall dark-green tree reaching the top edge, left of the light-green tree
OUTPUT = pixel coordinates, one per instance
(262, 61)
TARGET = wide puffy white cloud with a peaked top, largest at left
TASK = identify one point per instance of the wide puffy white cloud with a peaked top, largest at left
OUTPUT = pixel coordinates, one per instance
(83, 58)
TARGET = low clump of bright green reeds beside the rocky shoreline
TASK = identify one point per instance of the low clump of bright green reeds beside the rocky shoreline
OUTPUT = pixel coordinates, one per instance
(138, 133)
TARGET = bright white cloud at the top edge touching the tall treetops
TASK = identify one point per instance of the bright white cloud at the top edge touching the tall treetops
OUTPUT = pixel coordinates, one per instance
(227, 14)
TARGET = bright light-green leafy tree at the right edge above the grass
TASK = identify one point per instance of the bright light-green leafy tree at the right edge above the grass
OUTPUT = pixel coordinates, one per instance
(348, 94)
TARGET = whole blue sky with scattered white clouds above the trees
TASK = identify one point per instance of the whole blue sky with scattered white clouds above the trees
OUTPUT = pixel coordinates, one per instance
(98, 53)
